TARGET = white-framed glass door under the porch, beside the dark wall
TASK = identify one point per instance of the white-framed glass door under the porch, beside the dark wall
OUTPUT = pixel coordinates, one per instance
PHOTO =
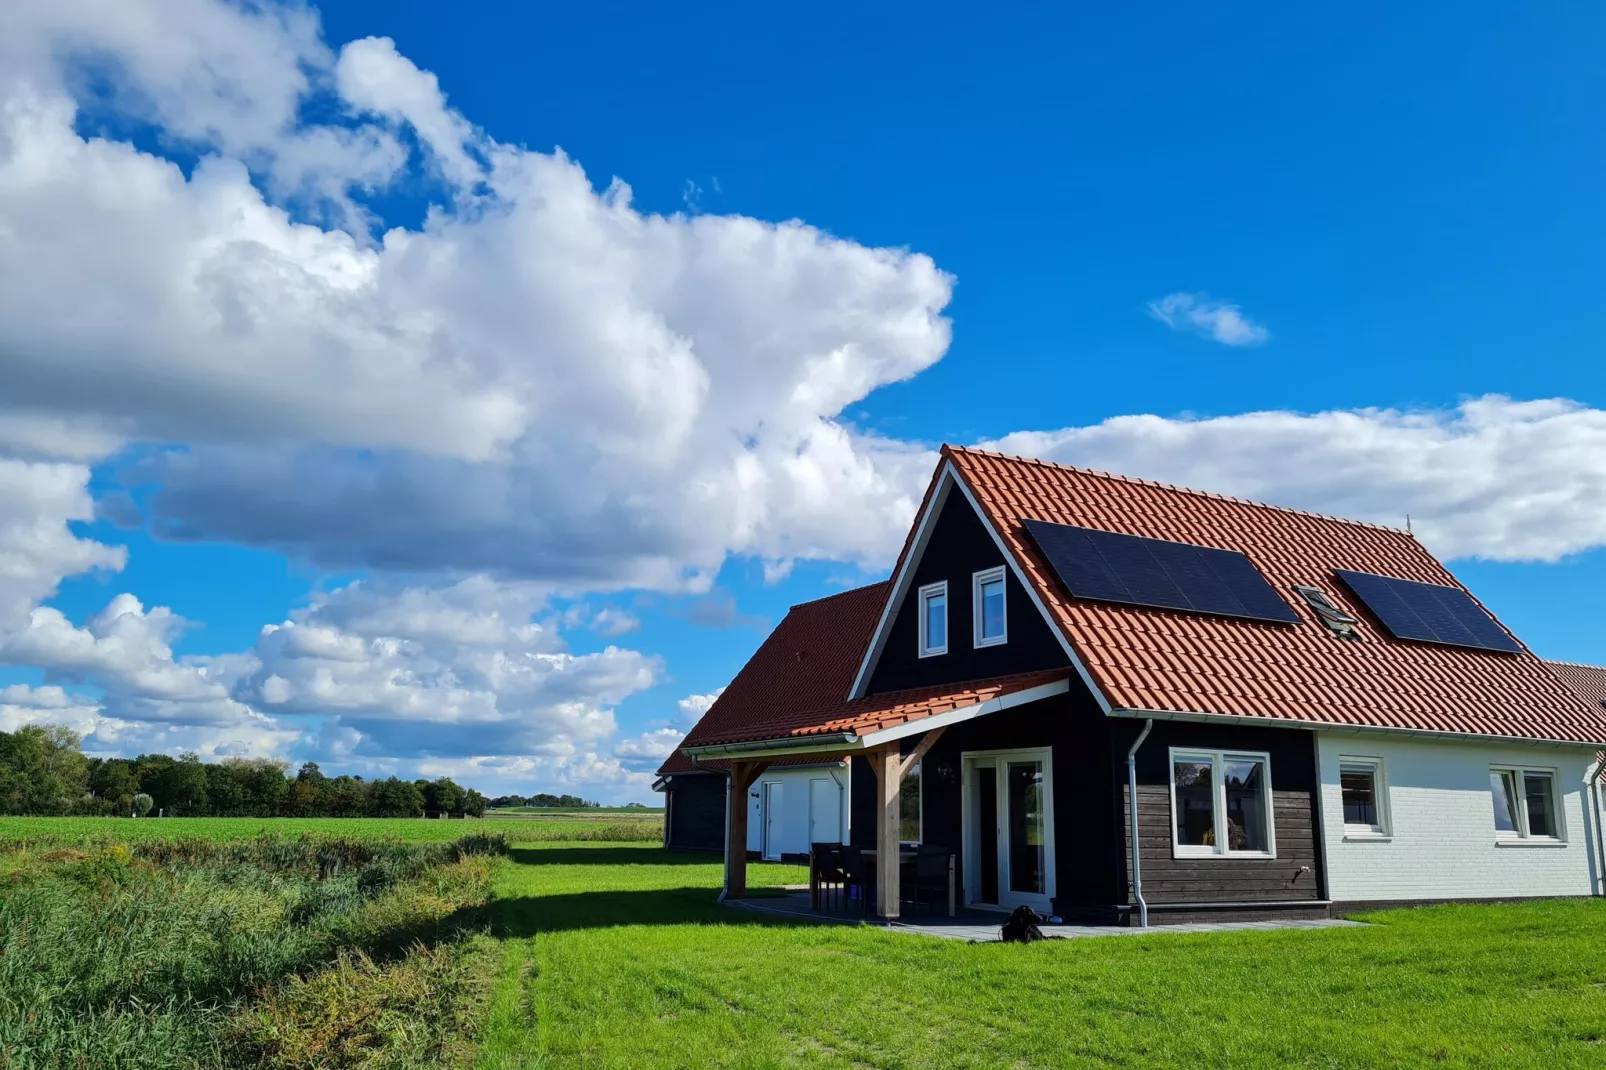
(1008, 799)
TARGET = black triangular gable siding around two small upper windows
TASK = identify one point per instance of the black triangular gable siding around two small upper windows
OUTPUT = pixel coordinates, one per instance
(960, 547)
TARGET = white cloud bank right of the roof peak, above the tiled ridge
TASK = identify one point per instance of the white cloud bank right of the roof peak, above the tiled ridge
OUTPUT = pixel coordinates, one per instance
(1493, 478)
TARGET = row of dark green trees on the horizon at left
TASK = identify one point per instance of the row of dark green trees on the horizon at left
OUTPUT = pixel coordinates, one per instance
(46, 772)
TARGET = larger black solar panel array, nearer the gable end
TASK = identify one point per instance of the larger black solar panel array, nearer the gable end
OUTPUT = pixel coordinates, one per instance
(1135, 571)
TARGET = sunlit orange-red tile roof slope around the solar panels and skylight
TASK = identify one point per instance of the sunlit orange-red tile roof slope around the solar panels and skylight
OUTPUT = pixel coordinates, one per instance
(1152, 660)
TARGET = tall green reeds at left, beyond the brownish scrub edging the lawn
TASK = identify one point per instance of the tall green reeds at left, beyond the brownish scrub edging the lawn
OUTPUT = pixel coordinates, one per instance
(157, 955)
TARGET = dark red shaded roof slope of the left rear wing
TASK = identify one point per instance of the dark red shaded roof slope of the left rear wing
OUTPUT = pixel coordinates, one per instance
(807, 664)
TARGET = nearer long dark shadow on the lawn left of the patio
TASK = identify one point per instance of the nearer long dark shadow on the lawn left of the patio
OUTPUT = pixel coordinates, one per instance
(526, 917)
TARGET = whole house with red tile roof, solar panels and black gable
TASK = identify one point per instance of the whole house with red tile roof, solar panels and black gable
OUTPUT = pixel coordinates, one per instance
(1305, 714)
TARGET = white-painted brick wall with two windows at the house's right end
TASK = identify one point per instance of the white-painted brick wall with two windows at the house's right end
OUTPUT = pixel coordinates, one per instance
(1443, 830)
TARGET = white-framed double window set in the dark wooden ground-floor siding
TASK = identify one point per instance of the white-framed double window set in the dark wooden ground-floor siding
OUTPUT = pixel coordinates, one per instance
(1221, 804)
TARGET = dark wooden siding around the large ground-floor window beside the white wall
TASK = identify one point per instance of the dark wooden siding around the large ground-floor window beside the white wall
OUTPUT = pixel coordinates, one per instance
(1292, 875)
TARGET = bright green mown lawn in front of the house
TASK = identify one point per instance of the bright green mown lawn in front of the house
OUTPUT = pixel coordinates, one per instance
(621, 957)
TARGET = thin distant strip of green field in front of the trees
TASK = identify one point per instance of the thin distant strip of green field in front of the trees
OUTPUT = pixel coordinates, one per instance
(518, 828)
